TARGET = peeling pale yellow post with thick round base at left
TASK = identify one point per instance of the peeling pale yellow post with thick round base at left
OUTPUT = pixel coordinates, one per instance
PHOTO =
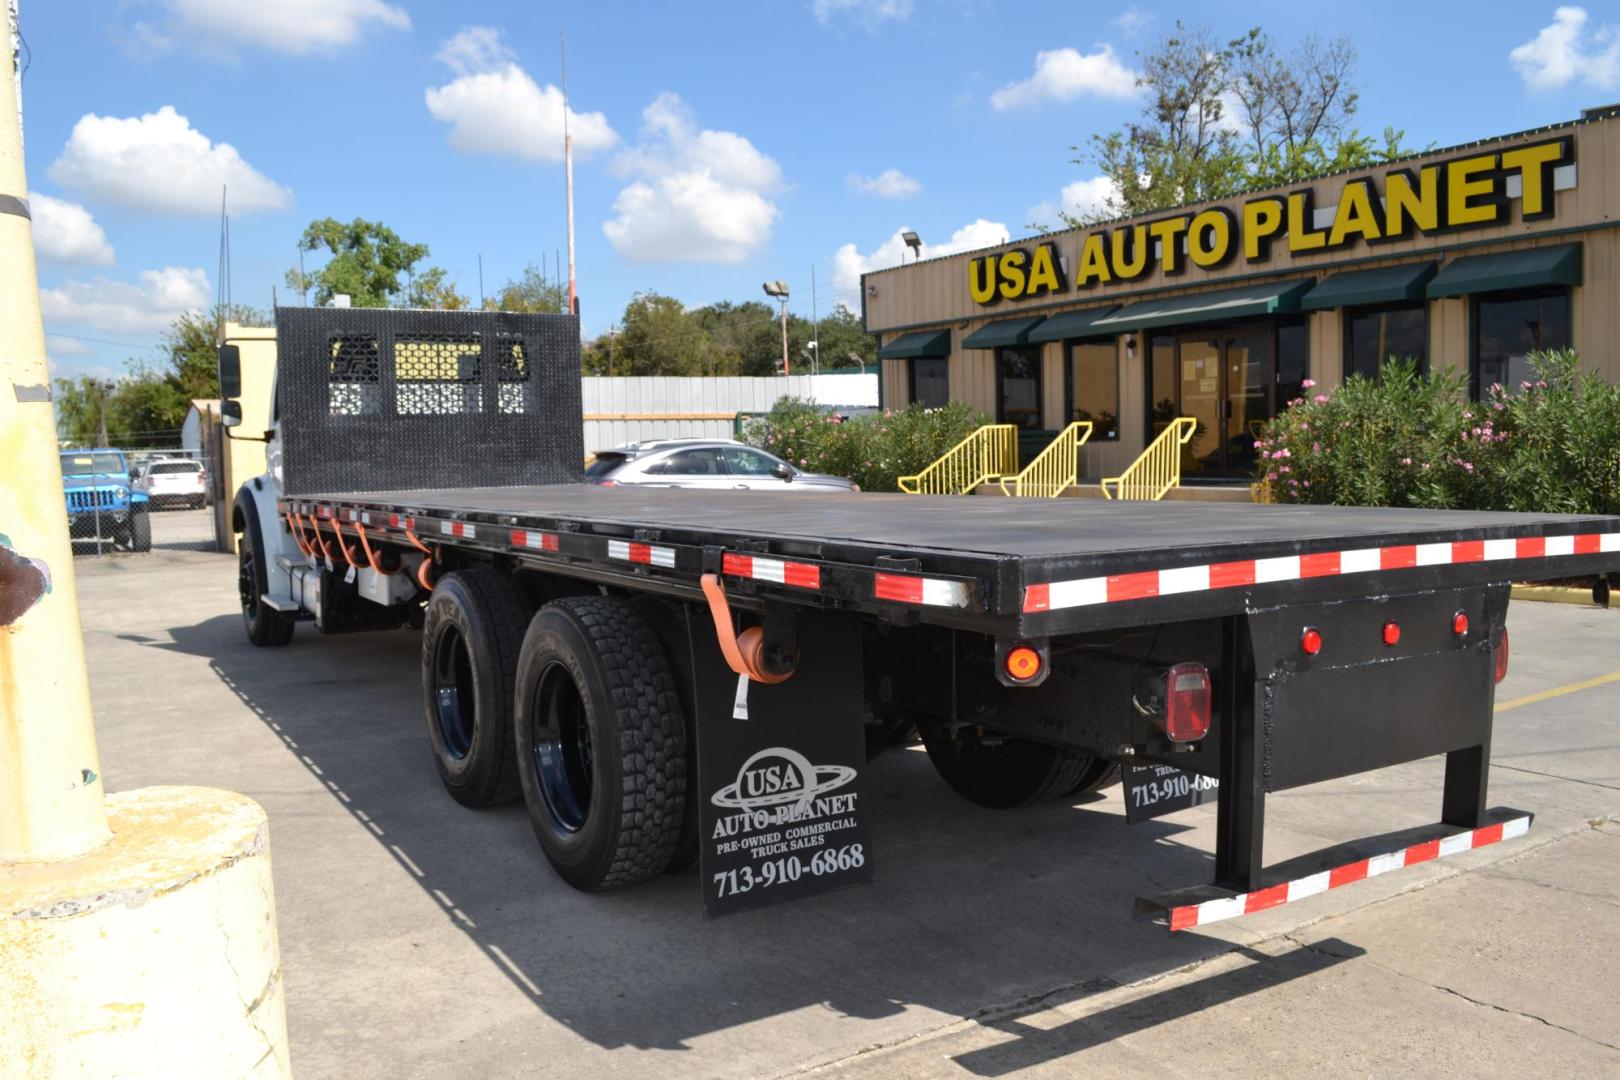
(137, 930)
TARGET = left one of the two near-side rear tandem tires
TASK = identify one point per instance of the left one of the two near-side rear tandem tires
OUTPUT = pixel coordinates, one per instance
(471, 640)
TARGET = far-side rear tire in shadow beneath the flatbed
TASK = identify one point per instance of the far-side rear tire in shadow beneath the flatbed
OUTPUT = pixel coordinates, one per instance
(1000, 772)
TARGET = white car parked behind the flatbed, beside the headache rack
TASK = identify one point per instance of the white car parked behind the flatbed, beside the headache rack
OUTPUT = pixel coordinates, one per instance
(707, 466)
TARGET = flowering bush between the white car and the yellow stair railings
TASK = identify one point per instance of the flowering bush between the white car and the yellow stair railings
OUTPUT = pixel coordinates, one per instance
(872, 451)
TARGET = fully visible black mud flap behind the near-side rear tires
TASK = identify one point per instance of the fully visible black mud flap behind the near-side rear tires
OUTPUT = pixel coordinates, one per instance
(782, 796)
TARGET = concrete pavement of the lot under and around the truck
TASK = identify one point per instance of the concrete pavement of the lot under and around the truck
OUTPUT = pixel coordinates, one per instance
(424, 940)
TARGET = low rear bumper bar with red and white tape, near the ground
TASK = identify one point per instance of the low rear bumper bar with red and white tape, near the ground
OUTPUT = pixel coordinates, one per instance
(1331, 869)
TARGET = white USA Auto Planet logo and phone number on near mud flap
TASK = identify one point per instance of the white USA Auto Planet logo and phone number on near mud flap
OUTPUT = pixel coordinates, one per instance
(788, 817)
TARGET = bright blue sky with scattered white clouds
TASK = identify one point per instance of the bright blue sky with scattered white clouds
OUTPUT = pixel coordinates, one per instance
(717, 145)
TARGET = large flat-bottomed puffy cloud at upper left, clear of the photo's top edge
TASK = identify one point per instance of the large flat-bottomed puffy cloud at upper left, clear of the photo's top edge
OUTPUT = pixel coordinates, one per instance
(160, 163)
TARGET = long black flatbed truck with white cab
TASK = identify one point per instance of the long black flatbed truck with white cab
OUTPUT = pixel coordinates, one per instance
(671, 678)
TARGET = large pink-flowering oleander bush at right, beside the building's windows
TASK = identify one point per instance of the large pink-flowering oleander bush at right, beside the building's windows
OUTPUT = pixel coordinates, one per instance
(1551, 444)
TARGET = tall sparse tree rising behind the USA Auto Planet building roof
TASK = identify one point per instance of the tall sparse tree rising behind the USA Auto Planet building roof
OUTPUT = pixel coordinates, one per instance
(1227, 119)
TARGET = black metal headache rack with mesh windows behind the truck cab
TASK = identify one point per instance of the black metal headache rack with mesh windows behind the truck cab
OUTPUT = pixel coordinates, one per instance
(378, 399)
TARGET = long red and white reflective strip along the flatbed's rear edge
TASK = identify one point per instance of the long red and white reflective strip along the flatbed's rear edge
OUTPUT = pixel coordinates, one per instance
(1226, 576)
